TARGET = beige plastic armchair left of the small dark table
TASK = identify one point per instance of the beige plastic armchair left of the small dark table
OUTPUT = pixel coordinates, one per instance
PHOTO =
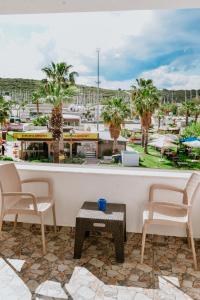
(14, 201)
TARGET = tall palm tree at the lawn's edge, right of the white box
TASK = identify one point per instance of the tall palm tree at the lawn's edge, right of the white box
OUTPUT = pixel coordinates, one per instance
(145, 97)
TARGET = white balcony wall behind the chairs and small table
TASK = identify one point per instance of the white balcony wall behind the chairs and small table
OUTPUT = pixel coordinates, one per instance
(74, 185)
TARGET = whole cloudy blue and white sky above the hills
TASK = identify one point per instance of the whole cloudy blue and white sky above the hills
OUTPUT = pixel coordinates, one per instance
(162, 45)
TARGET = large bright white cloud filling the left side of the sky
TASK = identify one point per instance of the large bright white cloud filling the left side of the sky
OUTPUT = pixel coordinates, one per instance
(28, 42)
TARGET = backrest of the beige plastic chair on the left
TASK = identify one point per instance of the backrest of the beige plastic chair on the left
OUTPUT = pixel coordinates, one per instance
(9, 182)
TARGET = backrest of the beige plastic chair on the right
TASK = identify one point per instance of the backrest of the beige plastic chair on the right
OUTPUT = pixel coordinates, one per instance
(192, 187)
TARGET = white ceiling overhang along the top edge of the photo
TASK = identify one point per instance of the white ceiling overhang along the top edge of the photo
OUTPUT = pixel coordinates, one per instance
(52, 6)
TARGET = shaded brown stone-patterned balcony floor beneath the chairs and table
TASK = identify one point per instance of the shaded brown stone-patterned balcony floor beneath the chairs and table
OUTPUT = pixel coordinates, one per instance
(166, 258)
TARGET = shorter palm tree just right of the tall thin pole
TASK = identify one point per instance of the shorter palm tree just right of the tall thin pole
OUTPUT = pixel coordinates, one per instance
(114, 113)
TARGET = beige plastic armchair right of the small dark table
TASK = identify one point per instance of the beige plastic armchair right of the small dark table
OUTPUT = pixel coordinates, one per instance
(168, 213)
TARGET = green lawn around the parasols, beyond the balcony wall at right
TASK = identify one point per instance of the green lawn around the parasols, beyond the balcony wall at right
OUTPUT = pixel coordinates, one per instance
(153, 160)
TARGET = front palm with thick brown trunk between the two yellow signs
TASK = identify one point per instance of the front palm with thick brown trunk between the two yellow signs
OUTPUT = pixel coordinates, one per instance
(56, 94)
